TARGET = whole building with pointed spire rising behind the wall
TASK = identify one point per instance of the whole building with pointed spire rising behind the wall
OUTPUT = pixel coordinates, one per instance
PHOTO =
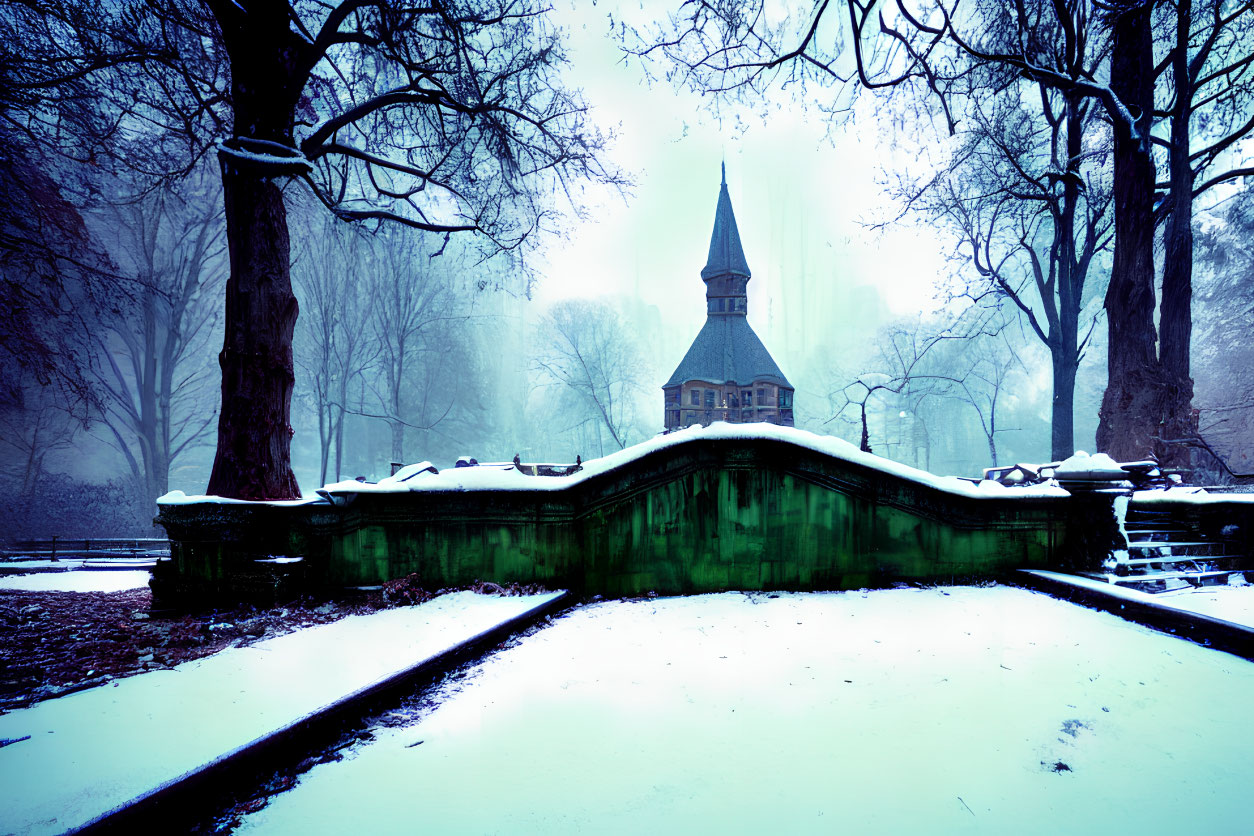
(728, 375)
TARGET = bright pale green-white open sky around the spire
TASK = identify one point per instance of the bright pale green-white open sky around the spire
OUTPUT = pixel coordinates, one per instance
(798, 199)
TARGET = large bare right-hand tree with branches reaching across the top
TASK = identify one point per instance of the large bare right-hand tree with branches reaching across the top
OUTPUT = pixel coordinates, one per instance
(949, 51)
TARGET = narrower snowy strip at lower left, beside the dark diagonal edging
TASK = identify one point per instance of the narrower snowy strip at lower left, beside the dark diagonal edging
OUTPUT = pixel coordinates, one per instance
(95, 751)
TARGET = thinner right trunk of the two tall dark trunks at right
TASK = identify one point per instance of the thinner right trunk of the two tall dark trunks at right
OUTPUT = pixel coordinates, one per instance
(1176, 316)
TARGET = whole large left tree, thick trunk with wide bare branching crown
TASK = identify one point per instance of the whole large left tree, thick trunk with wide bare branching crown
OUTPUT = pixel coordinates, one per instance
(447, 118)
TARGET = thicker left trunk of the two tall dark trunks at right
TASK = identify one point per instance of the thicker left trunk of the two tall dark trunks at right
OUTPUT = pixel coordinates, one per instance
(1133, 403)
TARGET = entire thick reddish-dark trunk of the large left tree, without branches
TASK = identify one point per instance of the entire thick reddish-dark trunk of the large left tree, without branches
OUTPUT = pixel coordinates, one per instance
(255, 433)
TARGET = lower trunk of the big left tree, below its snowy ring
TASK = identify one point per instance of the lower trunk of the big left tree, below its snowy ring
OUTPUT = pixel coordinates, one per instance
(255, 433)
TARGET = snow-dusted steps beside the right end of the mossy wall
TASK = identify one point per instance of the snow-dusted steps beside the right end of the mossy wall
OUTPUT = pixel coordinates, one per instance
(1166, 553)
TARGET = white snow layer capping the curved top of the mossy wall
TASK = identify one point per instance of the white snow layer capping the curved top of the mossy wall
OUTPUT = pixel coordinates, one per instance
(421, 478)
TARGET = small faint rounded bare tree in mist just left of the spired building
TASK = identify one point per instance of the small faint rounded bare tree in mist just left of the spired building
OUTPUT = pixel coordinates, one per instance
(585, 350)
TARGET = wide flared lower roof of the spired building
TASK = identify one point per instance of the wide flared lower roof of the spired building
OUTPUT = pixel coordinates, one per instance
(728, 350)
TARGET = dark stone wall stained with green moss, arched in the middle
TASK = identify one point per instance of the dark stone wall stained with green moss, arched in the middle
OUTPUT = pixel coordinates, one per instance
(705, 516)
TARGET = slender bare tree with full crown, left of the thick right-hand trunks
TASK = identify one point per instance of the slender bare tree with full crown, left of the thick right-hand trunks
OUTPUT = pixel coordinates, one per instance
(1028, 194)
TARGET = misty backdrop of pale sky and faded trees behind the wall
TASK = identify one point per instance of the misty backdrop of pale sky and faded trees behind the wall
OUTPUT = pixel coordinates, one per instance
(411, 348)
